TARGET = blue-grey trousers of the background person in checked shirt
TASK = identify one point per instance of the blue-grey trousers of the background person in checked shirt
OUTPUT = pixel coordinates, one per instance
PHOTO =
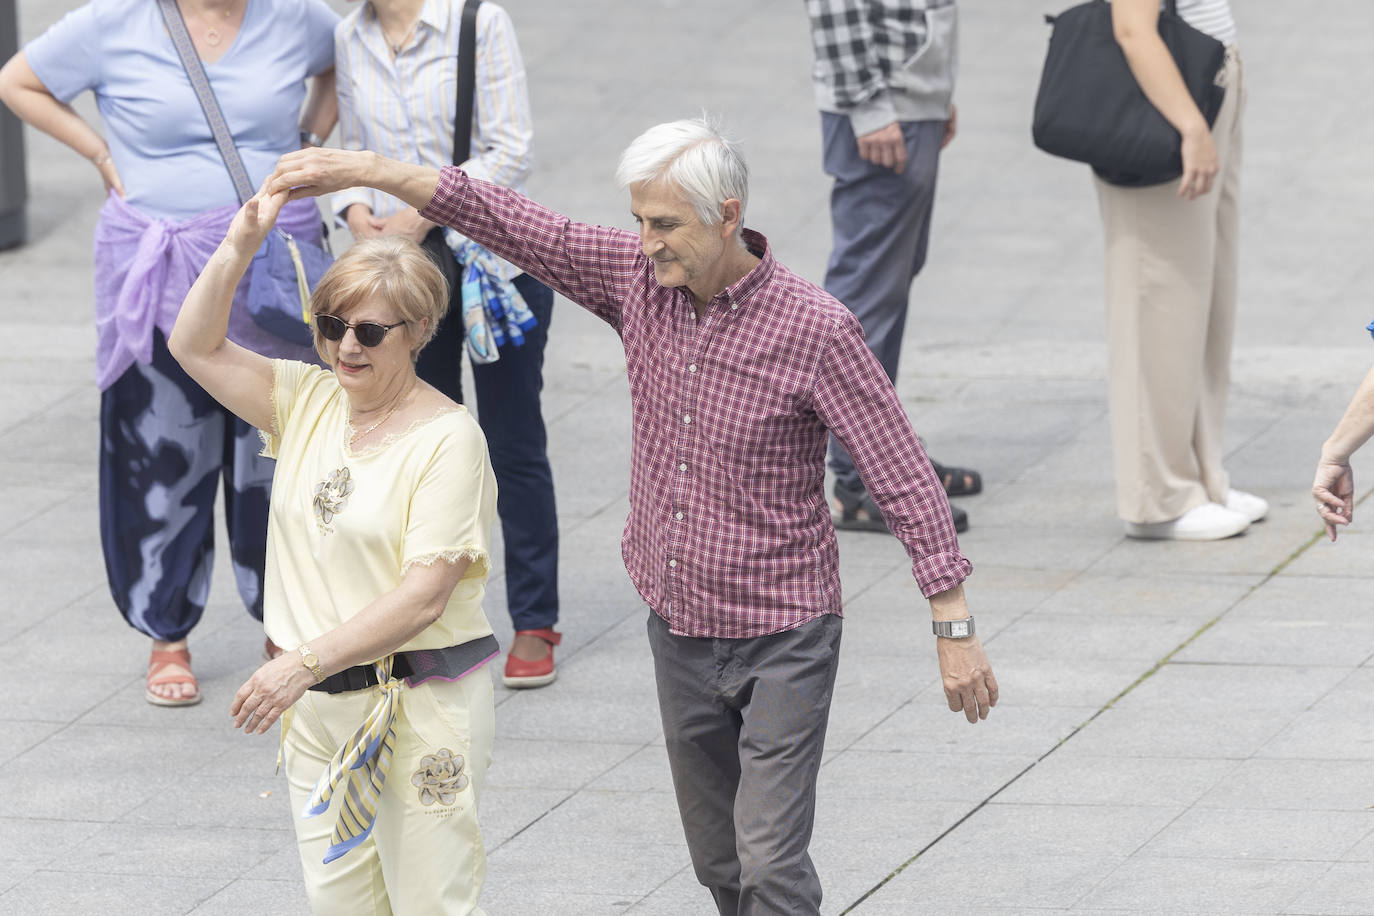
(881, 229)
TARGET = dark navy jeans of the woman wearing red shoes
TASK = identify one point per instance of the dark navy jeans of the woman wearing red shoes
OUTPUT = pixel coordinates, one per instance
(509, 411)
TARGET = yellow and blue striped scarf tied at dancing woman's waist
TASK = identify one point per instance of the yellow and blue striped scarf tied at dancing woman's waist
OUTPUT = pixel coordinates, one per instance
(363, 760)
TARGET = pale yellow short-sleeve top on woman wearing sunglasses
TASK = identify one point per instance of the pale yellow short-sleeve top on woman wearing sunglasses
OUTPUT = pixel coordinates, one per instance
(344, 527)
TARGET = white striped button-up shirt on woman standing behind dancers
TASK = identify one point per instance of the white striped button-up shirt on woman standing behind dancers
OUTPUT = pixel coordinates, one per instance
(402, 106)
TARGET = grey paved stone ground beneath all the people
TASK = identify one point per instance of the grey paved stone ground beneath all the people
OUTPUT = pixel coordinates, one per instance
(1184, 729)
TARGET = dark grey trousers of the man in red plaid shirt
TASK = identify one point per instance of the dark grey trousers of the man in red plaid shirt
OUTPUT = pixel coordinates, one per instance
(745, 724)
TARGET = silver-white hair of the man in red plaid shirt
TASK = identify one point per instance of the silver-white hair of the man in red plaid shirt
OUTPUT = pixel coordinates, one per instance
(693, 156)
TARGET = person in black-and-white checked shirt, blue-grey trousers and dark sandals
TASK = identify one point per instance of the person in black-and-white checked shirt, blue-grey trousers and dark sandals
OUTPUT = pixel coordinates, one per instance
(884, 78)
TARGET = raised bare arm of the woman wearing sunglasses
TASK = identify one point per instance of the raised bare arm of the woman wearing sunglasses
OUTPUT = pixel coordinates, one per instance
(238, 378)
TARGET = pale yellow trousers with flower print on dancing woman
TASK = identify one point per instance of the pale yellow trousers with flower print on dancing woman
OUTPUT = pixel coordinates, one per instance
(425, 854)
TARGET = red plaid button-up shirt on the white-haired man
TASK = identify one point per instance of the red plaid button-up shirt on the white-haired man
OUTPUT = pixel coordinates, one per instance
(729, 531)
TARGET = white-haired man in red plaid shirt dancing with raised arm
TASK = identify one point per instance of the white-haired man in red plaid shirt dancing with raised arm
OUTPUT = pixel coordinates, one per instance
(739, 371)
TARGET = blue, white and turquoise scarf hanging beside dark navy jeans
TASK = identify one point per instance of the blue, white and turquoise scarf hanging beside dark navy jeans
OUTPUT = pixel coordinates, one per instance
(494, 311)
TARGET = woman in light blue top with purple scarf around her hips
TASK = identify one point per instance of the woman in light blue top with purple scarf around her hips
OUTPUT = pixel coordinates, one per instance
(164, 442)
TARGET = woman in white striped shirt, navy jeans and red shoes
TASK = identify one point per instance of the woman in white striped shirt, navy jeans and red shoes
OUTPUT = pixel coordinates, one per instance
(398, 69)
